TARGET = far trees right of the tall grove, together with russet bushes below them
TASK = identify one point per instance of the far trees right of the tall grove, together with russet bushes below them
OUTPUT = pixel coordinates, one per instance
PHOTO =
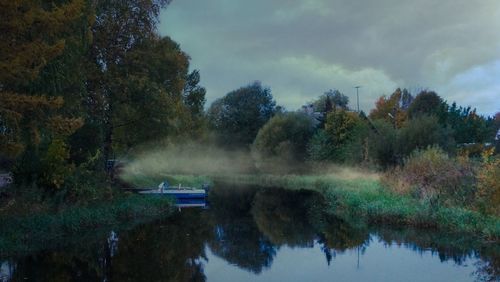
(441, 154)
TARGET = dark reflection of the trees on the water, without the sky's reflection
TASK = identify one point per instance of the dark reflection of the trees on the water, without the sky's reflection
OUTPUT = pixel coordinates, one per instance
(245, 226)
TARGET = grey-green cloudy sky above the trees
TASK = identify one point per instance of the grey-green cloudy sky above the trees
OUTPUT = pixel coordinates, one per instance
(301, 48)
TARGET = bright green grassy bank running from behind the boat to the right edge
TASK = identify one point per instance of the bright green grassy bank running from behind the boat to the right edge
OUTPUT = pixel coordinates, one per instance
(363, 199)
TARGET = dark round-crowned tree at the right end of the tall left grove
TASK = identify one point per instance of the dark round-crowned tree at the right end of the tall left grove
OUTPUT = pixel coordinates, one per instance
(152, 104)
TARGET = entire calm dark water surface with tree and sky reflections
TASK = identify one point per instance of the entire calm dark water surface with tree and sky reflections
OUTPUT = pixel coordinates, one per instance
(251, 234)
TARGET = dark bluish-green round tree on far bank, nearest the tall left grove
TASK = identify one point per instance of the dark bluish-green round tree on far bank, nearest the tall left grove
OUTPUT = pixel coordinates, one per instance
(238, 116)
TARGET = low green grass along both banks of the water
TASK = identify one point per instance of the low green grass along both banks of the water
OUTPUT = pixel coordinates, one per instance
(358, 198)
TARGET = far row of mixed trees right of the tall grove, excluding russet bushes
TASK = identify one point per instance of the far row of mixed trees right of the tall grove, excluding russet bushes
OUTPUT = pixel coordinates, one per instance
(327, 130)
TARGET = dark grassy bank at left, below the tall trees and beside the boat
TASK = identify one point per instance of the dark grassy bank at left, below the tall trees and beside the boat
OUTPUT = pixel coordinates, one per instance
(25, 234)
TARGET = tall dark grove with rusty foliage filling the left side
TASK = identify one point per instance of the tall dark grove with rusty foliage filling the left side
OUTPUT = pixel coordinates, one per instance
(82, 82)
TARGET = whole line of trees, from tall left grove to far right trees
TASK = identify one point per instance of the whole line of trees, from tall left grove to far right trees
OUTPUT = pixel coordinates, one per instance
(83, 83)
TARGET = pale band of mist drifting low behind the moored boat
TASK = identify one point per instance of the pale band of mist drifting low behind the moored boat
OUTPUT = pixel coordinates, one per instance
(198, 159)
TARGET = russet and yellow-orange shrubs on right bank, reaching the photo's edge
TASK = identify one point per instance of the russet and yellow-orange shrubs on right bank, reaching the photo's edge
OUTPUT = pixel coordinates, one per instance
(436, 179)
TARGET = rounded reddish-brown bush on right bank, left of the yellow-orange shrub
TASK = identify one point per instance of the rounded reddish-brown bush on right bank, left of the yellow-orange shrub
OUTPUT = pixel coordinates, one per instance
(432, 176)
